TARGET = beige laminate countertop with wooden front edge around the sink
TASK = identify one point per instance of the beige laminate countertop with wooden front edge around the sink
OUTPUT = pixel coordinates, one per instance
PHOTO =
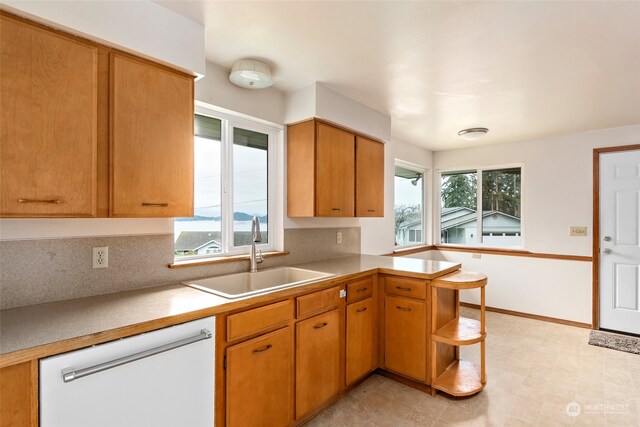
(44, 329)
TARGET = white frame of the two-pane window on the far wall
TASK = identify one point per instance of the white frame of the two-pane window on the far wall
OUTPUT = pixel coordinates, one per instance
(437, 220)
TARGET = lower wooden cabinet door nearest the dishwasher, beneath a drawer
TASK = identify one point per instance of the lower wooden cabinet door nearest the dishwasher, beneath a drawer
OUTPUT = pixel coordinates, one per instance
(259, 381)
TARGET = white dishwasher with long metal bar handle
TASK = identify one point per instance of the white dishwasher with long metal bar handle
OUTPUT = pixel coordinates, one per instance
(160, 378)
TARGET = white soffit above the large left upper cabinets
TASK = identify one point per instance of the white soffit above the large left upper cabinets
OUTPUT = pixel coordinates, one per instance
(141, 27)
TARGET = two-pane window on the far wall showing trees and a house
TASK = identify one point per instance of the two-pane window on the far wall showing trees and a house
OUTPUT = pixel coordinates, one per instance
(497, 223)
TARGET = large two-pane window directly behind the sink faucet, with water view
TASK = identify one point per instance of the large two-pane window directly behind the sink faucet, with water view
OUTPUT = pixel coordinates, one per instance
(233, 182)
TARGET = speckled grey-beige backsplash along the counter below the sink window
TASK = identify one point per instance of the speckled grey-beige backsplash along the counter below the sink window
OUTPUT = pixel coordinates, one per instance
(39, 271)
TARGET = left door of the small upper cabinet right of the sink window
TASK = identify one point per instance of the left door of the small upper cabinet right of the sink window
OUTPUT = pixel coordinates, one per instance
(335, 171)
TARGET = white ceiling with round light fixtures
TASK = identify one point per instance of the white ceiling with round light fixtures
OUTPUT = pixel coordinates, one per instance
(522, 69)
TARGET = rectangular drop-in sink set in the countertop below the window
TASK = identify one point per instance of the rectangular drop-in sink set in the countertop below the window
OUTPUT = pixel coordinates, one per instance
(241, 285)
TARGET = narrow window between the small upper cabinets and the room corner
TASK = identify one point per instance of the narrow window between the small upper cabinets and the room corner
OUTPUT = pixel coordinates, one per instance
(408, 206)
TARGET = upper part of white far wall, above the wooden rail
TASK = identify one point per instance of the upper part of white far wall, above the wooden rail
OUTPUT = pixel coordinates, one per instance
(557, 182)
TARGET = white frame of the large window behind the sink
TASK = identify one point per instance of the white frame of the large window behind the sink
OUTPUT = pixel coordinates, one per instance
(229, 121)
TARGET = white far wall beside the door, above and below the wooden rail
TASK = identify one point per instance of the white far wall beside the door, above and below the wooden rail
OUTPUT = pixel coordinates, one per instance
(557, 193)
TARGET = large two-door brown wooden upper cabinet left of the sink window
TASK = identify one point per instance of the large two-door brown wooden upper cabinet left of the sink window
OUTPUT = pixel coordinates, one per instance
(88, 131)
